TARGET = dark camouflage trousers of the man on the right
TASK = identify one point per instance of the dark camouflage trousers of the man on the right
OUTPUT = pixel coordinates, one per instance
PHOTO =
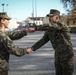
(65, 67)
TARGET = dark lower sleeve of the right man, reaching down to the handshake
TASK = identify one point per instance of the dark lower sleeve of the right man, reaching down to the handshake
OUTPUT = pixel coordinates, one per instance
(41, 42)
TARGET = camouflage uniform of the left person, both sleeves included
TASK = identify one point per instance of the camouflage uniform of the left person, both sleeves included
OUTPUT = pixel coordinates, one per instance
(7, 47)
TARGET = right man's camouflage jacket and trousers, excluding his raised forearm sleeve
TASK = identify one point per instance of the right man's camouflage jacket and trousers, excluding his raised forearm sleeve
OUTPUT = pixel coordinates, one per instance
(59, 36)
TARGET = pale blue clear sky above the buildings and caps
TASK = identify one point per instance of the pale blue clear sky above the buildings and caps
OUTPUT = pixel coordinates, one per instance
(22, 9)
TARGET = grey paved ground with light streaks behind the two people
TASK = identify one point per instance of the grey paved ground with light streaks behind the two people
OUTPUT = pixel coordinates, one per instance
(40, 62)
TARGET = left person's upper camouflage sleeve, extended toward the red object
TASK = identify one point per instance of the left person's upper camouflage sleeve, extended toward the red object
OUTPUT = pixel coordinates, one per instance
(16, 35)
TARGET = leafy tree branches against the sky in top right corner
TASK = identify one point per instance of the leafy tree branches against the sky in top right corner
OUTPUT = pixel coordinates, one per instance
(72, 6)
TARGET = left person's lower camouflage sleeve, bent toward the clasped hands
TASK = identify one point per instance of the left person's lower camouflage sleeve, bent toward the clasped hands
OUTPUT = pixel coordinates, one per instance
(11, 48)
